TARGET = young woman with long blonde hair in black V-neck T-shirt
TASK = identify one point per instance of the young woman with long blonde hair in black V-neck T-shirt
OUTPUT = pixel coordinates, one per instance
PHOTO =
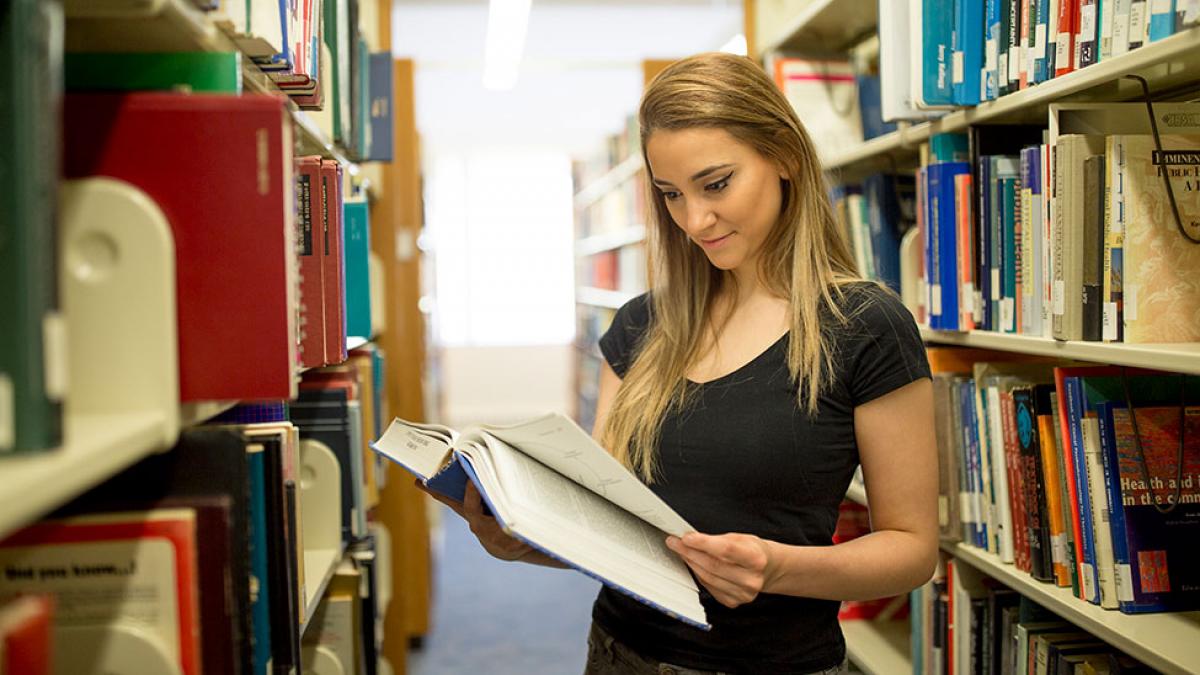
(748, 386)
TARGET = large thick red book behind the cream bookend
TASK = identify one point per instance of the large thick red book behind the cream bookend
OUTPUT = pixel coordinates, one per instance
(220, 169)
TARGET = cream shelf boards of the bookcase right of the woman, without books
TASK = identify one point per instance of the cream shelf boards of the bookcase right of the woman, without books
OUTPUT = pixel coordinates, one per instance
(1166, 642)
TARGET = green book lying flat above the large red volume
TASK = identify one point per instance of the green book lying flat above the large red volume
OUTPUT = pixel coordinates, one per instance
(214, 73)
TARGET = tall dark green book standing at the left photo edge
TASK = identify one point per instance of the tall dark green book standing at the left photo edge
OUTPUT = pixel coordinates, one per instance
(32, 338)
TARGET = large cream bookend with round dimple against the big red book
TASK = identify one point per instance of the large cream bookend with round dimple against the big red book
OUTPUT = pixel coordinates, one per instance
(118, 285)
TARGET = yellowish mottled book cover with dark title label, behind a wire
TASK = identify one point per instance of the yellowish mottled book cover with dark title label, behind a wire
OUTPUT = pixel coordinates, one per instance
(1162, 289)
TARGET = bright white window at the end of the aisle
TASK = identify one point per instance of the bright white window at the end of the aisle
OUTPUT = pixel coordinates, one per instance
(501, 226)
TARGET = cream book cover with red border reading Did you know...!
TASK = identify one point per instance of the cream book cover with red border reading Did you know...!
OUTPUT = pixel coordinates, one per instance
(137, 568)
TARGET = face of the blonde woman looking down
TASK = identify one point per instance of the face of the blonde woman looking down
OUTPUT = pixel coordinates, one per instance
(721, 192)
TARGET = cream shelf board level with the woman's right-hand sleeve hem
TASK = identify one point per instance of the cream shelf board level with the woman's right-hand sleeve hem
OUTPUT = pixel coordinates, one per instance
(1175, 359)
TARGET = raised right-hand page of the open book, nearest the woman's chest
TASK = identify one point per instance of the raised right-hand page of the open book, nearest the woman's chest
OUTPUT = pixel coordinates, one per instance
(561, 445)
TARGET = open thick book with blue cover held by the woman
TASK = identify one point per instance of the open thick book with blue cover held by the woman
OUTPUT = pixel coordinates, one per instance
(550, 486)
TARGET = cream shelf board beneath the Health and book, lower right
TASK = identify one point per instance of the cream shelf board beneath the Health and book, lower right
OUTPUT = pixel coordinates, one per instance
(1165, 642)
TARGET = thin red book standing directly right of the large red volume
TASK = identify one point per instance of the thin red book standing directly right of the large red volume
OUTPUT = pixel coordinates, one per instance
(311, 247)
